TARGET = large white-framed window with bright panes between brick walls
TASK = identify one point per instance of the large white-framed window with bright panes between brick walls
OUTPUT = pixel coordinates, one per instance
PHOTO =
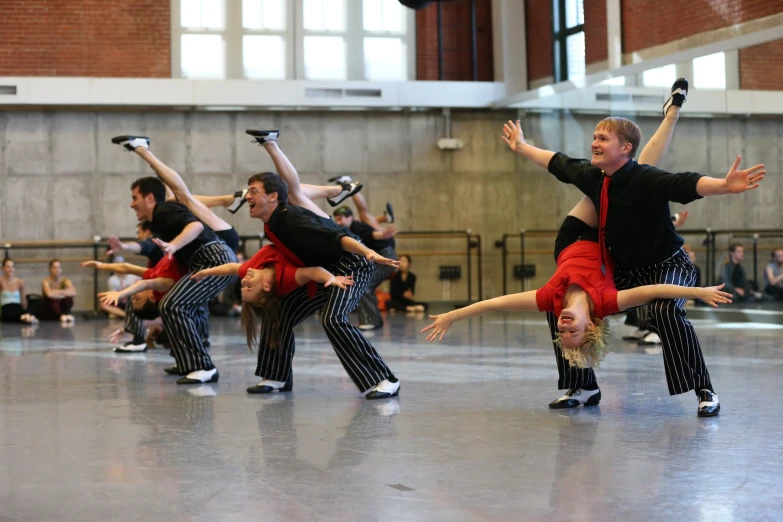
(255, 39)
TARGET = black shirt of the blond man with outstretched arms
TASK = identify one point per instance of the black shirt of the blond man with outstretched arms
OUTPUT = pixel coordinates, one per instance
(639, 230)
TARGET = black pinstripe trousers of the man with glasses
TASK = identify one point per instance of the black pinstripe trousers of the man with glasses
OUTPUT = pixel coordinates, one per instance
(360, 360)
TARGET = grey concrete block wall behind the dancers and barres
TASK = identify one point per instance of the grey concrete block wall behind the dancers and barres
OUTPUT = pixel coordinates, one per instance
(61, 178)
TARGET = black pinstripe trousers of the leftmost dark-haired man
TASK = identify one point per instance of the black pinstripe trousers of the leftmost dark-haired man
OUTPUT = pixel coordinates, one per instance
(182, 309)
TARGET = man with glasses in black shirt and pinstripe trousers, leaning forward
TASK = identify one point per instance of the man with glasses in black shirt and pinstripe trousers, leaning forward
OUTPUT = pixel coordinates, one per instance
(312, 239)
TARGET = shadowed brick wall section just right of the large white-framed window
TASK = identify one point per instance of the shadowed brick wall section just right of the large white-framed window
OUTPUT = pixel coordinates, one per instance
(457, 54)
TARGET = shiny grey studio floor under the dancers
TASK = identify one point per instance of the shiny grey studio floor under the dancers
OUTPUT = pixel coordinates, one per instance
(89, 435)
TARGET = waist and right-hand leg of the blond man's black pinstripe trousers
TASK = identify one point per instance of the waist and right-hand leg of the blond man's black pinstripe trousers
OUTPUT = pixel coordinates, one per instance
(682, 357)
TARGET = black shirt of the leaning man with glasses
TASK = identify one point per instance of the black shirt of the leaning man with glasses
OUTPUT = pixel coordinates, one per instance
(313, 239)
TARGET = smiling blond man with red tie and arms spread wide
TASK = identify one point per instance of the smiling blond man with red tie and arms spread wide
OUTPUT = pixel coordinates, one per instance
(632, 202)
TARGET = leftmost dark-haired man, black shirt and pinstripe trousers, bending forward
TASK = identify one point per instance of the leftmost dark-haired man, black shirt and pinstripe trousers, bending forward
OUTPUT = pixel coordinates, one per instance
(181, 235)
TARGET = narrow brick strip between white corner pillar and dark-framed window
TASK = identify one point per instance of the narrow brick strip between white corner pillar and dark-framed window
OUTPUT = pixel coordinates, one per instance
(538, 19)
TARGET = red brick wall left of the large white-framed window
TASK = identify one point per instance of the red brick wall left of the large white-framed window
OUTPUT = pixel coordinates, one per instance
(96, 38)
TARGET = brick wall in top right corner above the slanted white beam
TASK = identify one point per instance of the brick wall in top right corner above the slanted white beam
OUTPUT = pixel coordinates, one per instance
(647, 23)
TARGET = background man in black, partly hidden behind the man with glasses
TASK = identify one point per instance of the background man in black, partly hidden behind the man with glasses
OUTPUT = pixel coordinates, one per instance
(382, 241)
